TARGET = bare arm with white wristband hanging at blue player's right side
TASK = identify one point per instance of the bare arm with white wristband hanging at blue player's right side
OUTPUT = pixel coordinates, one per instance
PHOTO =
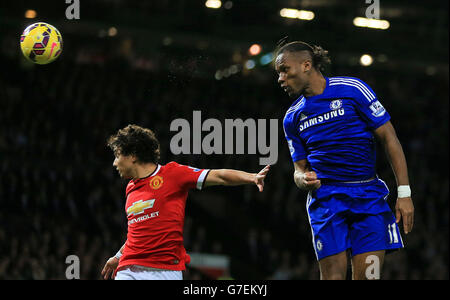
(404, 207)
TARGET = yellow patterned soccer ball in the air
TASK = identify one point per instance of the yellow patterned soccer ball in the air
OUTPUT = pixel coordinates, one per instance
(41, 43)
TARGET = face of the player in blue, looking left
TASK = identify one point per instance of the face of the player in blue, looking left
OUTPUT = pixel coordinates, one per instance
(293, 73)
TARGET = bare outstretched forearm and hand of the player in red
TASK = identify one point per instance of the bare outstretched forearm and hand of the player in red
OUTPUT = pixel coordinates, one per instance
(235, 177)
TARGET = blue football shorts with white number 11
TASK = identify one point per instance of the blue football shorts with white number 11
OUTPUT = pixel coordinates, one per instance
(353, 216)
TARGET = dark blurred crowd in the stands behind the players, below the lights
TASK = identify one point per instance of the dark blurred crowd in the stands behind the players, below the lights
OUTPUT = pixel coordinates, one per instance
(60, 196)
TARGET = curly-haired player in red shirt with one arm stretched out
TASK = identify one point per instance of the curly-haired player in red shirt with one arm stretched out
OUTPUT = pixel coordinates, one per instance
(155, 203)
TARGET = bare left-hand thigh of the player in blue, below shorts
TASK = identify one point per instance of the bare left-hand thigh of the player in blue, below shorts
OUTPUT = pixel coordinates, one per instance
(334, 267)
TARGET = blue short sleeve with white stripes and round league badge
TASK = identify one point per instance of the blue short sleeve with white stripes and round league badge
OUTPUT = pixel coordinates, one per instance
(367, 103)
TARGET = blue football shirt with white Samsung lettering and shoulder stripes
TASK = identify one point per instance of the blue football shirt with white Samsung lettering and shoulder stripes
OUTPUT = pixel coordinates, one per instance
(334, 130)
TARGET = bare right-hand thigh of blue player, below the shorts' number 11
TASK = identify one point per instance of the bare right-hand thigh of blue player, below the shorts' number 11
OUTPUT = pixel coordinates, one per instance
(366, 266)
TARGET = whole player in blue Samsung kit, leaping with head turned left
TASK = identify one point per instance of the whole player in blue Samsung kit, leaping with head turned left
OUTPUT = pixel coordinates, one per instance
(331, 129)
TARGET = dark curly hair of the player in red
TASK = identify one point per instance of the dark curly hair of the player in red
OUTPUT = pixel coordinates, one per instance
(138, 141)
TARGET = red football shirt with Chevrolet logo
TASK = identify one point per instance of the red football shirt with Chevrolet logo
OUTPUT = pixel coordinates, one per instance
(155, 211)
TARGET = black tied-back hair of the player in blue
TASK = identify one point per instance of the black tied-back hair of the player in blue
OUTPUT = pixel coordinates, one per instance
(319, 56)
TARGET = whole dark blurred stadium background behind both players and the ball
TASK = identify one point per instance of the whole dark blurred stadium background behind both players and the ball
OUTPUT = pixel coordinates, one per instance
(150, 62)
